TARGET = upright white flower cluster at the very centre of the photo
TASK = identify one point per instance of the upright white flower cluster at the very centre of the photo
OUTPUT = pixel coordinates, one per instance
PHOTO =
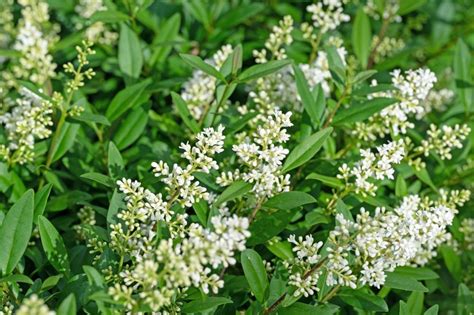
(261, 155)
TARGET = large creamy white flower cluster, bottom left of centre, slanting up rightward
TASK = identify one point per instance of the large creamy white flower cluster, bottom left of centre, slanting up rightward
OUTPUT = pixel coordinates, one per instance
(173, 268)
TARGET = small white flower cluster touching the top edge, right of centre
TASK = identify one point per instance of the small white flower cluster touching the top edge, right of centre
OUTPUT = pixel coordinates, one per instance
(328, 14)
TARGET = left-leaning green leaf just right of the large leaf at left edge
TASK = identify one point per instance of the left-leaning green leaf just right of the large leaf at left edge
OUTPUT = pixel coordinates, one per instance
(53, 246)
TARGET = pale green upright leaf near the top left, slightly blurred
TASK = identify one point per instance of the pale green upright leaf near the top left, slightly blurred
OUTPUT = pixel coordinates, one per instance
(129, 52)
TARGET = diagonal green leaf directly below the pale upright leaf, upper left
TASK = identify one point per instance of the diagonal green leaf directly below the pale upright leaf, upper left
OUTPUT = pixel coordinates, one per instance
(128, 98)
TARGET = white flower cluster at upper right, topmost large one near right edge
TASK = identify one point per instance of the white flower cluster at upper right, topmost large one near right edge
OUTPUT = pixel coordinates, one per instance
(412, 89)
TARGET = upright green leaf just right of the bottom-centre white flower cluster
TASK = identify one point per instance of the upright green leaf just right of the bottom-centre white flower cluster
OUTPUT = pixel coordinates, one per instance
(255, 273)
